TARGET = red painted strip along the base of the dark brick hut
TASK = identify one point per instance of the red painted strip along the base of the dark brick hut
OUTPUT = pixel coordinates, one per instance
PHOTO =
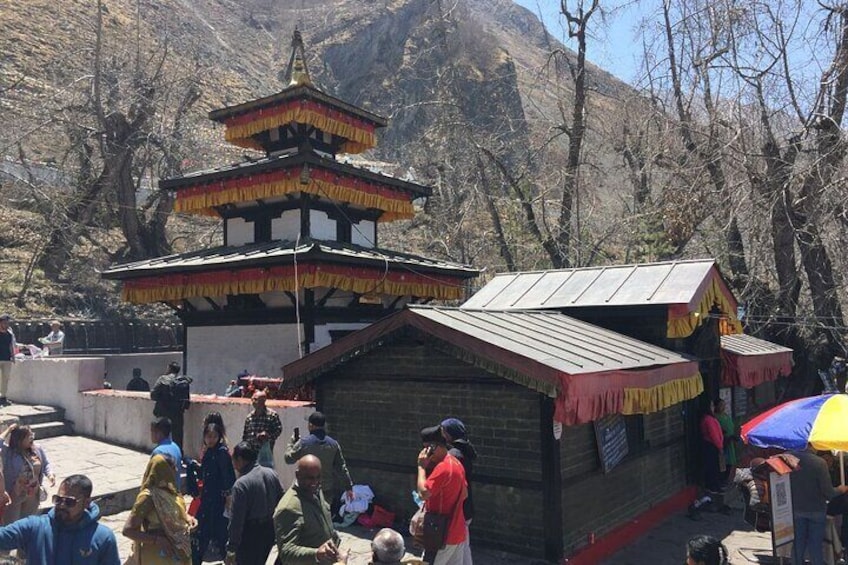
(635, 528)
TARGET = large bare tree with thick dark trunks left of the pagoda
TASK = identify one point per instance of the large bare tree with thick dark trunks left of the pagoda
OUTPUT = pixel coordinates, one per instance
(127, 130)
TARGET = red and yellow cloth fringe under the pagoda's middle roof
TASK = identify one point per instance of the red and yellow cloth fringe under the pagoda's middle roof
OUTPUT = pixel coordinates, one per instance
(203, 198)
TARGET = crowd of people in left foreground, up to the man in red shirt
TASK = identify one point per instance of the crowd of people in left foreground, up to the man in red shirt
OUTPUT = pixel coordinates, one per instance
(239, 508)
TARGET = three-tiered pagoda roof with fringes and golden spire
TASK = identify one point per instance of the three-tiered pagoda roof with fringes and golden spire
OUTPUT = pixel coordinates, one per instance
(296, 218)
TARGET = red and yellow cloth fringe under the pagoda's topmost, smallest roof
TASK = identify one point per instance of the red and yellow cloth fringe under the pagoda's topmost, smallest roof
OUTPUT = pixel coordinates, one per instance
(359, 134)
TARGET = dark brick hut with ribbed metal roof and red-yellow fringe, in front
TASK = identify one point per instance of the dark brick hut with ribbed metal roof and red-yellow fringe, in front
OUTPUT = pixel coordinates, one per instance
(577, 427)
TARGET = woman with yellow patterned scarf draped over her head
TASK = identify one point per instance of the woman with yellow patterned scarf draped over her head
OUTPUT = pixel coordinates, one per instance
(158, 523)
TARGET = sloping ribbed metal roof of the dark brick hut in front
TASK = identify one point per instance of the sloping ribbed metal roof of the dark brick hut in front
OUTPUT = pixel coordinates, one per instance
(558, 341)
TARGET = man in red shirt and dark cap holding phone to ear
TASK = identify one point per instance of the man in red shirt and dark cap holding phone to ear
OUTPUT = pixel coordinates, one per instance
(441, 483)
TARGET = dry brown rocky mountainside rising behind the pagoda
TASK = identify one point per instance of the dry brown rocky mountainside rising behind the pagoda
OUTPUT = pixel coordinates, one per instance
(481, 66)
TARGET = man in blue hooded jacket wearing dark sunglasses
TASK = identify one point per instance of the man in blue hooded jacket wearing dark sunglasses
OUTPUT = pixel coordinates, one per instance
(67, 535)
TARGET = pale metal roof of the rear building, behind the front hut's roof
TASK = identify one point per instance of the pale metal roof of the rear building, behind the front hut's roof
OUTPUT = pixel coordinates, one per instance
(675, 282)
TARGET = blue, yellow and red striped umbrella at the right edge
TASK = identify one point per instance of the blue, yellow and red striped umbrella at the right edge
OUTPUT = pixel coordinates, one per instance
(821, 421)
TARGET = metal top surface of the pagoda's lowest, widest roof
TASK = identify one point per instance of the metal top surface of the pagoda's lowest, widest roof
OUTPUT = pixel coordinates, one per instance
(281, 252)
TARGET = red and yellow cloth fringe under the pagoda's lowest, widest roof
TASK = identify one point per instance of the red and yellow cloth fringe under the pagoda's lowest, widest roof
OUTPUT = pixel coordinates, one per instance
(360, 280)
